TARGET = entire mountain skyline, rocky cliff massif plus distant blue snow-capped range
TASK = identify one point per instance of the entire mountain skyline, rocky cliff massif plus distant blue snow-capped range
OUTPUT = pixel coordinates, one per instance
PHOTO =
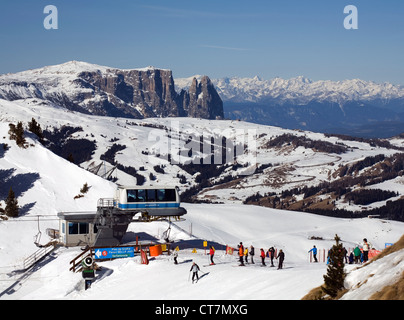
(355, 107)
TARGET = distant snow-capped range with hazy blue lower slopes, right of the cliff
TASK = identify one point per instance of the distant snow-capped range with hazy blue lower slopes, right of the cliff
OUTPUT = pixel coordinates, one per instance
(359, 107)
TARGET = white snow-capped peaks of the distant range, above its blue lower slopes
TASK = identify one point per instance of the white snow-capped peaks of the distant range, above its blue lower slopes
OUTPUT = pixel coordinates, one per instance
(301, 90)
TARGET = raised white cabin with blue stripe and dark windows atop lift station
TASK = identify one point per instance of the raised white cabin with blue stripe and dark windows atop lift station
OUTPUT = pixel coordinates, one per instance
(163, 201)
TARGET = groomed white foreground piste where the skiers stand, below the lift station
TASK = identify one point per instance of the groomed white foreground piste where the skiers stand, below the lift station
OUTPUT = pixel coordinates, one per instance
(228, 224)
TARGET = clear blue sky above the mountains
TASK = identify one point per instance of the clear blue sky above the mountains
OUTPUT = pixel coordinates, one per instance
(218, 38)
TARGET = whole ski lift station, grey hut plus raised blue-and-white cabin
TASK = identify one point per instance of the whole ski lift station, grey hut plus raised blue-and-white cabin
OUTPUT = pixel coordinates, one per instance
(108, 225)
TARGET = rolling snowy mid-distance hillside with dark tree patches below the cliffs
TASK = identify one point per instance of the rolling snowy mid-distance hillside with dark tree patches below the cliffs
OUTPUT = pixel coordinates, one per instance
(149, 141)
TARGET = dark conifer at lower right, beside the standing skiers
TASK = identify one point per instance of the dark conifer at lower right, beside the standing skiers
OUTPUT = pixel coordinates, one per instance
(334, 279)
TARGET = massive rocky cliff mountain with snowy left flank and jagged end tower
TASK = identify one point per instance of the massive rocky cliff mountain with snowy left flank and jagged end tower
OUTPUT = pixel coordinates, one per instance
(98, 90)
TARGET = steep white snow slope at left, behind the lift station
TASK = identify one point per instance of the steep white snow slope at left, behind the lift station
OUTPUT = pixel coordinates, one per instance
(47, 185)
